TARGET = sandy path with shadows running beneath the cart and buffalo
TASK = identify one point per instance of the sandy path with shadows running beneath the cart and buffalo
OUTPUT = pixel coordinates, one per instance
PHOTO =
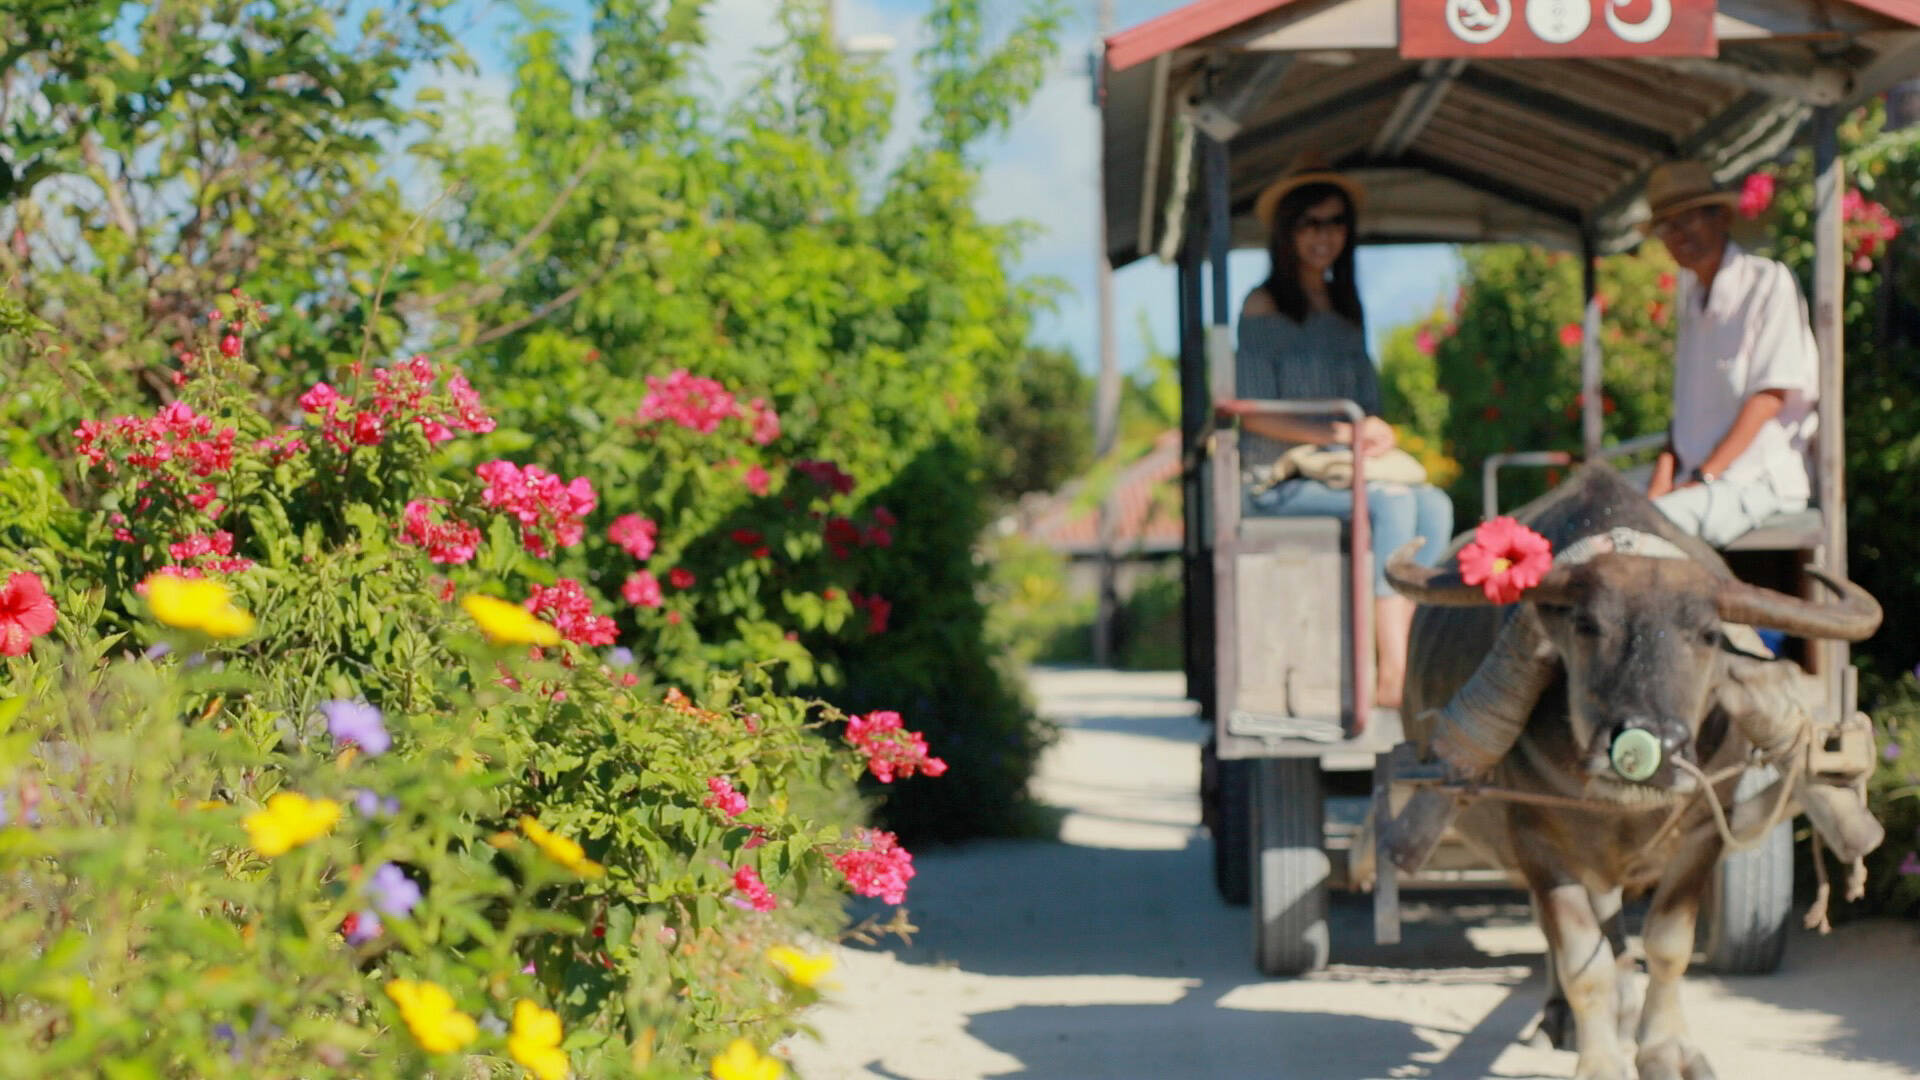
(1107, 956)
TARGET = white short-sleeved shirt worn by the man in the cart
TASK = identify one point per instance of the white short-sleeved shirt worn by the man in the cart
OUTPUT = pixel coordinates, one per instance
(1752, 335)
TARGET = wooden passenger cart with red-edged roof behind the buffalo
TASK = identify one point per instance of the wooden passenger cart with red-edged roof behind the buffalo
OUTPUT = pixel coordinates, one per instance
(1497, 139)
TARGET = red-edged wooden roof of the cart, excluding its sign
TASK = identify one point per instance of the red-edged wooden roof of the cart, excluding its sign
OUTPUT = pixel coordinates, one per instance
(1531, 151)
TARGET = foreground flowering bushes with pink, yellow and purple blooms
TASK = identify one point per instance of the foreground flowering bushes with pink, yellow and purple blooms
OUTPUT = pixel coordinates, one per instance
(360, 829)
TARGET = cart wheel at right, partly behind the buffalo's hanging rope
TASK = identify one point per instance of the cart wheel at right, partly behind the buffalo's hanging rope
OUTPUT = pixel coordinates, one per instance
(1744, 921)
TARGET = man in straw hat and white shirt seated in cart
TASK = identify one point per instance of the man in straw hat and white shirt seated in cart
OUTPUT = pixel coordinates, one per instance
(1746, 370)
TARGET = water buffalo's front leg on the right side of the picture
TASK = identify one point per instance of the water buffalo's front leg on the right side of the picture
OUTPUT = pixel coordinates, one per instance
(1666, 1050)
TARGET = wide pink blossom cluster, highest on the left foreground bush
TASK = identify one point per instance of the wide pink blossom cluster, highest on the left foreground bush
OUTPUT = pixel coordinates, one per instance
(404, 393)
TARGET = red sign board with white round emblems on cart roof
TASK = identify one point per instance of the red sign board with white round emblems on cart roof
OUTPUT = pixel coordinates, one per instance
(1556, 28)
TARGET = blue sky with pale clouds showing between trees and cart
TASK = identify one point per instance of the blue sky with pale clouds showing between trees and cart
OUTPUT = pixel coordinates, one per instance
(1044, 170)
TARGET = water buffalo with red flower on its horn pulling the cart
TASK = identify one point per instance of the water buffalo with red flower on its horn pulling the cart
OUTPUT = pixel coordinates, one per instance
(1627, 633)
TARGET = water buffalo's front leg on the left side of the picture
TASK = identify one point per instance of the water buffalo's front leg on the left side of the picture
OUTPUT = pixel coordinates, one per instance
(1587, 975)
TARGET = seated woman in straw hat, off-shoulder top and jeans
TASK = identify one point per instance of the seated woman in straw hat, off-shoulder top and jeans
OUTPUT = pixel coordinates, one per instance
(1303, 335)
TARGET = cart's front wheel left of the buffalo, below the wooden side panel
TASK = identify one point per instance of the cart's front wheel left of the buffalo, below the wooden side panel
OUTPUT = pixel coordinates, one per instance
(1289, 866)
